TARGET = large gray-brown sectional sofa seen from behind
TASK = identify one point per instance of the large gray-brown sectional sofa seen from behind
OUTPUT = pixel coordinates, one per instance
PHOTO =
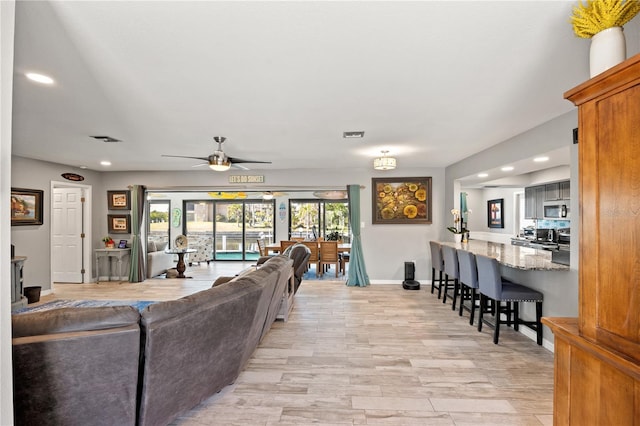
(118, 366)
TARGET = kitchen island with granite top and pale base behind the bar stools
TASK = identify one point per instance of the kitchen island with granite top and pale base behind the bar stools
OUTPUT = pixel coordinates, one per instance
(533, 268)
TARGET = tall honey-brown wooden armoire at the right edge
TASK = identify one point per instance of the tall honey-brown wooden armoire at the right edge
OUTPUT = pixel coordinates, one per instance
(597, 355)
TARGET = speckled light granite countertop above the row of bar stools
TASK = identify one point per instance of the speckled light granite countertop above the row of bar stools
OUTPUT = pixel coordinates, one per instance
(512, 256)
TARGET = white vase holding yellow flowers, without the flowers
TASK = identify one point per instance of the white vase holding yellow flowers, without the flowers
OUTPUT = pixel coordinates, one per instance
(608, 48)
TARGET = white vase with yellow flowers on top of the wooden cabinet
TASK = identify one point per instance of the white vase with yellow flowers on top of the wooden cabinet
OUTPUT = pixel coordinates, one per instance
(602, 21)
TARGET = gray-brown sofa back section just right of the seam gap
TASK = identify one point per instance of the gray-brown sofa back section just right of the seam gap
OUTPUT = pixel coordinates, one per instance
(193, 347)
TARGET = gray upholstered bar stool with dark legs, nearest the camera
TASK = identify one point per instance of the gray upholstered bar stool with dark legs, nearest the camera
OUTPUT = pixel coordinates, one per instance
(494, 287)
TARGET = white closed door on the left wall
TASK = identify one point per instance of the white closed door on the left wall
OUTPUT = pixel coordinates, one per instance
(67, 228)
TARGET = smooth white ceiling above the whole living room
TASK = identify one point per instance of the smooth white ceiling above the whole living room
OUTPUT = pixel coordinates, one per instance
(432, 82)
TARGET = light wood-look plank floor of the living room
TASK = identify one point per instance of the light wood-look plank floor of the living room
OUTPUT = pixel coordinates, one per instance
(374, 355)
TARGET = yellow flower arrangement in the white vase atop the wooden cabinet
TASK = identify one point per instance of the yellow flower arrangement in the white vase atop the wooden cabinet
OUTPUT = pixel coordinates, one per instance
(598, 15)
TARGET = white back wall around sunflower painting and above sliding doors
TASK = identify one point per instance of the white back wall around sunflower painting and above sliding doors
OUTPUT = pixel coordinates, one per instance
(386, 247)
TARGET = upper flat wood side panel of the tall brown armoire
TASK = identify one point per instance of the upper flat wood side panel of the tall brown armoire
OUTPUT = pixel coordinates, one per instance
(618, 181)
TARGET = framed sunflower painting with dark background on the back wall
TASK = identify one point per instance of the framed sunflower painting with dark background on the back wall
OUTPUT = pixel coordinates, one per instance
(401, 200)
